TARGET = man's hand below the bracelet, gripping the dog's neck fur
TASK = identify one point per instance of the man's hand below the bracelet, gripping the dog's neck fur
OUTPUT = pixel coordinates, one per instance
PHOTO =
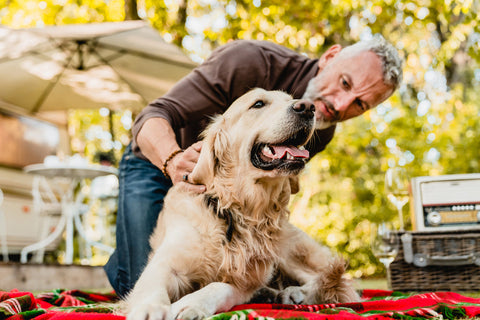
(181, 166)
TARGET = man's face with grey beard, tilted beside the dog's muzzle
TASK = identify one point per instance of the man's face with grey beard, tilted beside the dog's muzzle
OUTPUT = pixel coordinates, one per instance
(346, 86)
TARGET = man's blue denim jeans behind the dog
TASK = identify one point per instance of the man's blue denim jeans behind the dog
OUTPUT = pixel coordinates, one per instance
(142, 189)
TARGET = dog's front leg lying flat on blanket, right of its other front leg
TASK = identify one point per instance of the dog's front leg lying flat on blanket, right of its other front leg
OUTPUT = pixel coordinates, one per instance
(213, 298)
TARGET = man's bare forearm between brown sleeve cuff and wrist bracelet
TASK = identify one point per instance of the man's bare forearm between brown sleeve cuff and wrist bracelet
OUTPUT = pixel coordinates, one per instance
(156, 140)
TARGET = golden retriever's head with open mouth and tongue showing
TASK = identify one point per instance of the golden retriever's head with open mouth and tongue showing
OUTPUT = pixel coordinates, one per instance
(261, 135)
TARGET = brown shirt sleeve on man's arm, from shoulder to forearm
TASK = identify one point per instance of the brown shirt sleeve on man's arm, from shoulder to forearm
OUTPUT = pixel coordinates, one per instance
(230, 71)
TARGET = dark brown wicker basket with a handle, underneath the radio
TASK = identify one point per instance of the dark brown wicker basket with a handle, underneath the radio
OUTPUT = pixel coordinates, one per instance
(437, 261)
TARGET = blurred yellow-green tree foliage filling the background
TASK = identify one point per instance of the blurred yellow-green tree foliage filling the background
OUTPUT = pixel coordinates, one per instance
(429, 126)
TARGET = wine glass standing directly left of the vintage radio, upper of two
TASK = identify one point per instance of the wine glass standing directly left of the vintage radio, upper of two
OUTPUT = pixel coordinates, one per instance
(396, 188)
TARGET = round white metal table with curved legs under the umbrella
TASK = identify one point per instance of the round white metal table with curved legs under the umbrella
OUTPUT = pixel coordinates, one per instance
(70, 216)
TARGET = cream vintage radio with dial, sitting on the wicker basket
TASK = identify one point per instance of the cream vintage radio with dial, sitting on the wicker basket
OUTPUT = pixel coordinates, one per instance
(448, 202)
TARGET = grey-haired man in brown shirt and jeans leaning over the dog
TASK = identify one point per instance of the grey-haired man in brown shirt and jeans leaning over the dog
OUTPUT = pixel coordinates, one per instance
(343, 84)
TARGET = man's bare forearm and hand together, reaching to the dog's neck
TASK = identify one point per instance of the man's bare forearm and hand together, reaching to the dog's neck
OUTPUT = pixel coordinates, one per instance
(157, 141)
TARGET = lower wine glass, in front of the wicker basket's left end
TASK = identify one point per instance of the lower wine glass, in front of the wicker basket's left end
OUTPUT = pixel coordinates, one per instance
(385, 245)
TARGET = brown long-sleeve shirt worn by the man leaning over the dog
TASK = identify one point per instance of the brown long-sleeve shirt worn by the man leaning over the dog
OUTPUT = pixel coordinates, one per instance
(228, 73)
